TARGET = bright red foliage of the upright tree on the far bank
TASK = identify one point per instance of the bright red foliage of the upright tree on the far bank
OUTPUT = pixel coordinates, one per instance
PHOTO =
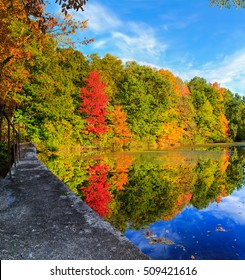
(94, 102)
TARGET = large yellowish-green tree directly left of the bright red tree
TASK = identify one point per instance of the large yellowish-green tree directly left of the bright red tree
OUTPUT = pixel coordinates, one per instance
(48, 110)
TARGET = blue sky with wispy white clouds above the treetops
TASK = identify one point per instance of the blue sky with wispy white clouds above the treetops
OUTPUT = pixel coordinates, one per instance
(188, 37)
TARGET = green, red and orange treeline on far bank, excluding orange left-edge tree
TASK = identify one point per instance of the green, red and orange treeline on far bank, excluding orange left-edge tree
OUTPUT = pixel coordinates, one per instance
(70, 100)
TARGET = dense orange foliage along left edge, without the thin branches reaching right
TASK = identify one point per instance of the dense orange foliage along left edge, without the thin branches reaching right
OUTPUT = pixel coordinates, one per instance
(16, 33)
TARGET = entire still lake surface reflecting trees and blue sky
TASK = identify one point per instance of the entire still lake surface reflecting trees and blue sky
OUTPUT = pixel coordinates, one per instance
(176, 204)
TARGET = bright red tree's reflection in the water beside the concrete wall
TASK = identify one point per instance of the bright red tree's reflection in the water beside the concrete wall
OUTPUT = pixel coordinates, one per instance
(97, 194)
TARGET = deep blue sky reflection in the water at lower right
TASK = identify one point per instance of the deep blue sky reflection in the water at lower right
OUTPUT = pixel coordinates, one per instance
(194, 232)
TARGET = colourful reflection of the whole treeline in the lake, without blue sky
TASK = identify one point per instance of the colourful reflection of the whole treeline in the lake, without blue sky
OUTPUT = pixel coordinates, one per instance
(142, 192)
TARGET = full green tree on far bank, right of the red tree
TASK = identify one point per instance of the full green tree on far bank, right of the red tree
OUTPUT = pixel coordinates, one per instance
(144, 95)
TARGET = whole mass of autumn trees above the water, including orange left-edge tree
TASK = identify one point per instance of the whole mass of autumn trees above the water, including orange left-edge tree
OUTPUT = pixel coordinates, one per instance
(63, 99)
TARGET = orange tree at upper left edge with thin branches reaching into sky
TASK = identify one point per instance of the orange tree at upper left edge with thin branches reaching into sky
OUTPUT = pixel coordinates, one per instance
(24, 25)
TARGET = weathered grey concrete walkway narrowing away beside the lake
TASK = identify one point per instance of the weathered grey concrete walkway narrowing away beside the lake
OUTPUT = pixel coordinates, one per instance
(40, 218)
